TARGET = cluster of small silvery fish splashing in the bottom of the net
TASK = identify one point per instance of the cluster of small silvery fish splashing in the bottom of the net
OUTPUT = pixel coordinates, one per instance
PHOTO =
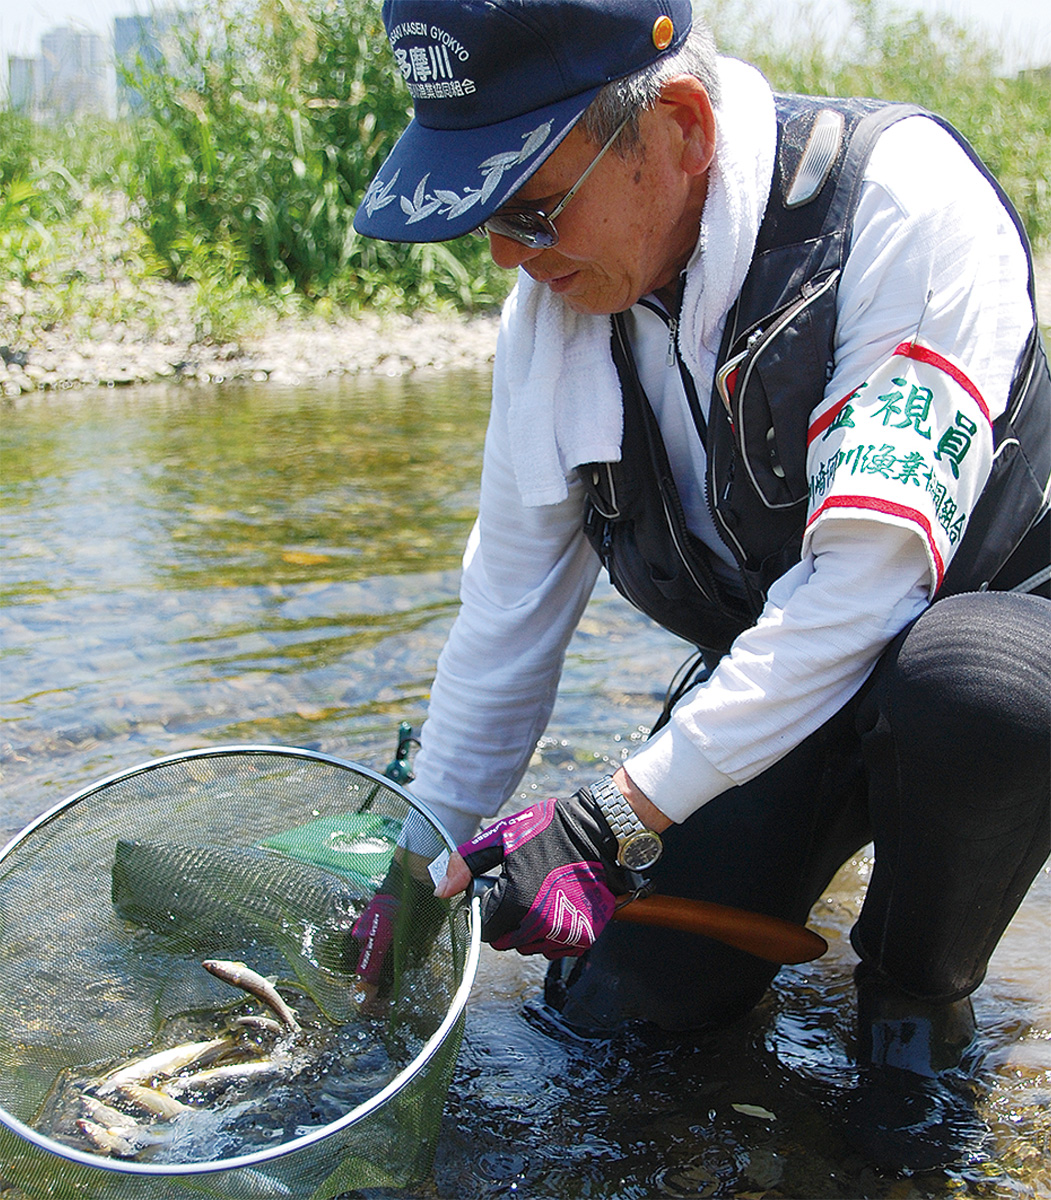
(223, 1095)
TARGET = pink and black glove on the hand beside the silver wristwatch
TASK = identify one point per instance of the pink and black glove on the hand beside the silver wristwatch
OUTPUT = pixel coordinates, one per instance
(558, 879)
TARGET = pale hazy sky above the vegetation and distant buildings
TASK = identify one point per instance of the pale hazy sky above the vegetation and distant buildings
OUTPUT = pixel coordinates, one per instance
(1020, 27)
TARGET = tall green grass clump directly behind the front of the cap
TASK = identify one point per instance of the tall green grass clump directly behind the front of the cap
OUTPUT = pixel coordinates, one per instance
(257, 148)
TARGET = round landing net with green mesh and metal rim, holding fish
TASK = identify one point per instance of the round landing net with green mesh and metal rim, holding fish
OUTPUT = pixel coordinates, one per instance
(259, 856)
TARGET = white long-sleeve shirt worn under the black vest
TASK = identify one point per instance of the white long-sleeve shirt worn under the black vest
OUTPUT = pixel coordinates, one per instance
(934, 250)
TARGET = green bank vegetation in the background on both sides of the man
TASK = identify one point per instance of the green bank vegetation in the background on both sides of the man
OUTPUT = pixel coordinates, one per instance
(242, 170)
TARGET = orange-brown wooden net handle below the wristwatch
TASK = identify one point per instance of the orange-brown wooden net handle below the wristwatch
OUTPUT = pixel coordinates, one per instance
(768, 938)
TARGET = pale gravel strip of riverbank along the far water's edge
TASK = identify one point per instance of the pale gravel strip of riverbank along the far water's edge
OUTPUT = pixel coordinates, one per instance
(158, 337)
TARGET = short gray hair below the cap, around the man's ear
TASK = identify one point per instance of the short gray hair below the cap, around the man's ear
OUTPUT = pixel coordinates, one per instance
(624, 100)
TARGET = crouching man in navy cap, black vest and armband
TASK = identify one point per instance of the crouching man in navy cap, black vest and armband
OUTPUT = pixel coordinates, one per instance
(773, 363)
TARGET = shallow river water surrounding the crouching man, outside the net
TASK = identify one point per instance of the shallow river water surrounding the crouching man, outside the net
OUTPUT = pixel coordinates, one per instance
(189, 567)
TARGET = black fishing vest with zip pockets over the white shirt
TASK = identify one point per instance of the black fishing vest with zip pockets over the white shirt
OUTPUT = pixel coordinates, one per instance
(773, 365)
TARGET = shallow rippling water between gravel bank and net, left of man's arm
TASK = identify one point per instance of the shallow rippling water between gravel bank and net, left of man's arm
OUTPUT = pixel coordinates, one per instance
(184, 567)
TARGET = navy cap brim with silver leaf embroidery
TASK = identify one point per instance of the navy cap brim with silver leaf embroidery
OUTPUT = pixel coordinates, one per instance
(441, 184)
